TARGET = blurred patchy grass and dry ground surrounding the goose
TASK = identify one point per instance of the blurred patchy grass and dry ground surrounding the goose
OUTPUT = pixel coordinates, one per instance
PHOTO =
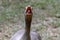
(46, 18)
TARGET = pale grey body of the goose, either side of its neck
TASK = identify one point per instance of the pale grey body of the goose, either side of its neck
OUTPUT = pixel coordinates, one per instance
(20, 34)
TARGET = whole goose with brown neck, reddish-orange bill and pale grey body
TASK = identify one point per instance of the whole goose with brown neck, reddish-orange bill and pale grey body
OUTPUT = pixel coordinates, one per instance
(26, 34)
